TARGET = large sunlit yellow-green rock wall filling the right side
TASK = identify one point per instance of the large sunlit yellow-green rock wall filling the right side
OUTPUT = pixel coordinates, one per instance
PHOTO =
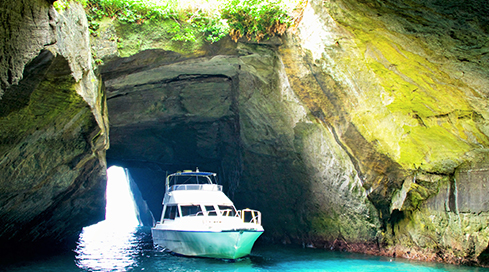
(403, 85)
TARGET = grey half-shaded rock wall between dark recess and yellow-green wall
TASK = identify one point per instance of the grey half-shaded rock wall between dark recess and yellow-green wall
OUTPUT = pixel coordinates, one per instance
(293, 168)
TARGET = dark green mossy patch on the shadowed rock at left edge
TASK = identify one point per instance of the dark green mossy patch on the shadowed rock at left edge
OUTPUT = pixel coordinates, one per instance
(54, 107)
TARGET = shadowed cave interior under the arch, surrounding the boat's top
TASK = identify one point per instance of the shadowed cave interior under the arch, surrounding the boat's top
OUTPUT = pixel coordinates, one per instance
(169, 113)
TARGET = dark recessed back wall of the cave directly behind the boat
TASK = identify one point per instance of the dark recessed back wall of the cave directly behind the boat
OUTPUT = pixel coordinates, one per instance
(163, 125)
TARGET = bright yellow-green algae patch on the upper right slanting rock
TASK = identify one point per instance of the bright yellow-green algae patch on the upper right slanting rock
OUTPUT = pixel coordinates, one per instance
(418, 95)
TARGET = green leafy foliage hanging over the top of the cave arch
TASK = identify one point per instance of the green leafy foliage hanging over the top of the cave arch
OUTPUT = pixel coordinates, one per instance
(251, 18)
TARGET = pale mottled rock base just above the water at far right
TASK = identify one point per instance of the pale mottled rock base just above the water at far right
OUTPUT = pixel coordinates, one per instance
(430, 233)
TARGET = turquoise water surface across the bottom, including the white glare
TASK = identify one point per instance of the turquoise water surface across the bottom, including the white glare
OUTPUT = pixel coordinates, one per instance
(109, 247)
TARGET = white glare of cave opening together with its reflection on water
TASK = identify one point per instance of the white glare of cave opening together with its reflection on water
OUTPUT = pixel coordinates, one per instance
(112, 245)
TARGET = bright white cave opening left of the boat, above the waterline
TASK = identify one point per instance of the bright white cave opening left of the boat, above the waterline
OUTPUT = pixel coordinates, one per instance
(120, 206)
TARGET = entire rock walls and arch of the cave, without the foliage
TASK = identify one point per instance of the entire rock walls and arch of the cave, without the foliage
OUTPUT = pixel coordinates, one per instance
(370, 115)
